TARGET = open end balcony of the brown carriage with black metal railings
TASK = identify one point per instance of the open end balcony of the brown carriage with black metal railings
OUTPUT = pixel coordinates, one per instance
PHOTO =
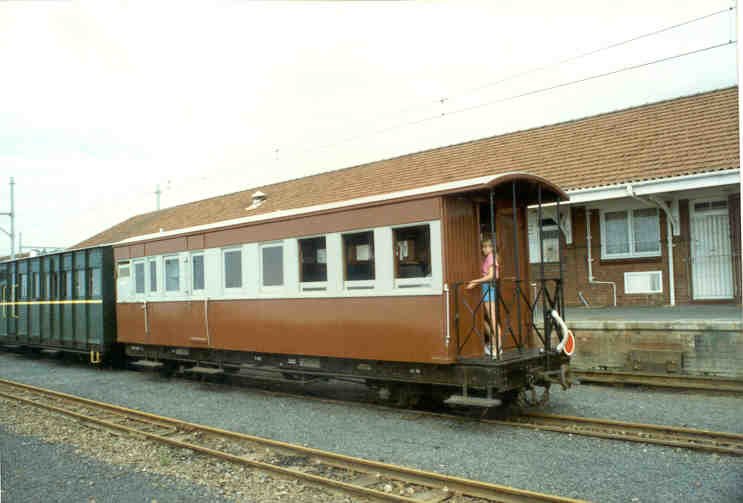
(519, 315)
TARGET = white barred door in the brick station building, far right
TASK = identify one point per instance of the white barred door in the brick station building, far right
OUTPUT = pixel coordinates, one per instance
(711, 260)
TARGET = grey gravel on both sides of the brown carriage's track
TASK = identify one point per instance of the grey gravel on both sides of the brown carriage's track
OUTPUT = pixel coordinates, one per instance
(594, 469)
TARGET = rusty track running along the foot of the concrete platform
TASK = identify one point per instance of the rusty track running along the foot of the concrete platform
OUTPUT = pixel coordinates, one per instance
(702, 383)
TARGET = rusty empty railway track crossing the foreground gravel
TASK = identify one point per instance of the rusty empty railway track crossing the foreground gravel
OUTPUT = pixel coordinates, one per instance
(356, 476)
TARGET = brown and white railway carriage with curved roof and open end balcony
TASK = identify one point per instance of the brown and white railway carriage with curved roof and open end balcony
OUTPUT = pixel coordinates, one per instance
(370, 288)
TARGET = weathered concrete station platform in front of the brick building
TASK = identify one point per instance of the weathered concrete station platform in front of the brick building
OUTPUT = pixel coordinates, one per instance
(694, 339)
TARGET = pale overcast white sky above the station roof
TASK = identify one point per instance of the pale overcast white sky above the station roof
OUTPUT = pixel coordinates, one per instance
(102, 102)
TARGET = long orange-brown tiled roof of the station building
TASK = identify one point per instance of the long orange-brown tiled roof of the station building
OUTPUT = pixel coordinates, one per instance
(691, 134)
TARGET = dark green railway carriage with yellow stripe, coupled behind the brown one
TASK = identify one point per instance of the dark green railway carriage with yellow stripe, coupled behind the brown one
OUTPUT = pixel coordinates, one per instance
(60, 302)
